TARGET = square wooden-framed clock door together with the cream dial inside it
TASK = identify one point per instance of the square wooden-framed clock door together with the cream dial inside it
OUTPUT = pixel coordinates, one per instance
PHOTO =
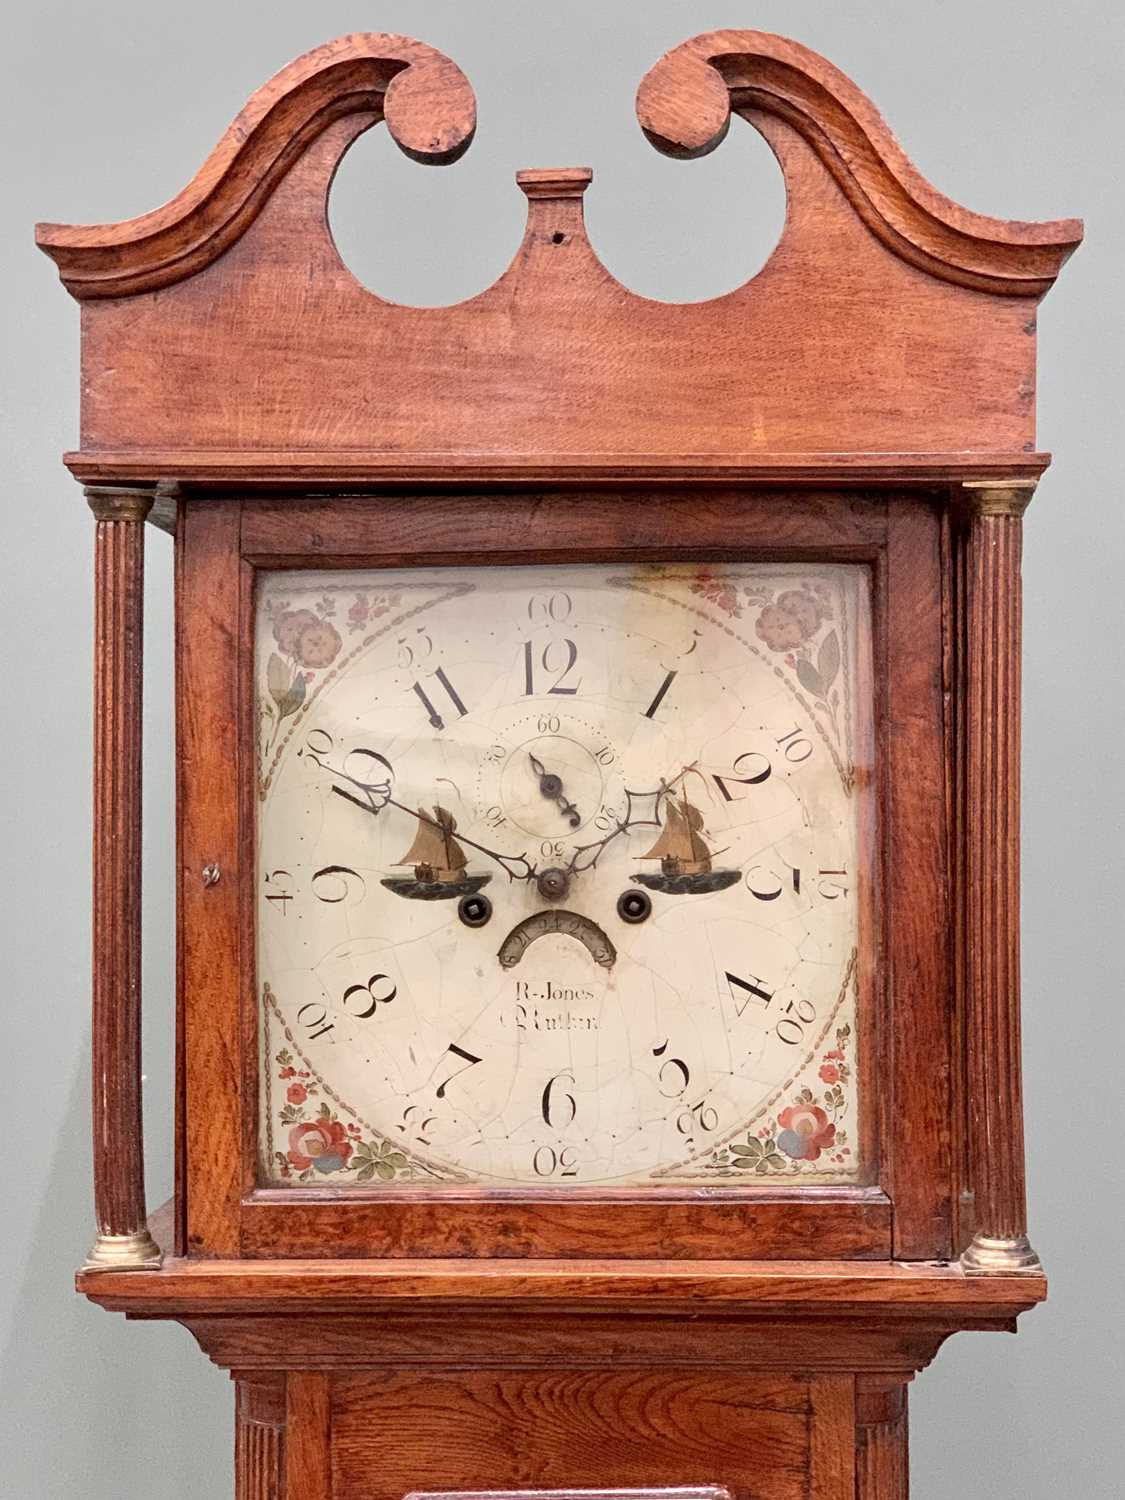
(565, 922)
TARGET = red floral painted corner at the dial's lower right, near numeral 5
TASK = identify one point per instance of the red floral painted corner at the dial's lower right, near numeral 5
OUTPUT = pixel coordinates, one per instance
(808, 1130)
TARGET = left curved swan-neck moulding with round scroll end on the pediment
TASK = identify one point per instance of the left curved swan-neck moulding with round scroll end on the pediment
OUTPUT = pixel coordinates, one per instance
(424, 97)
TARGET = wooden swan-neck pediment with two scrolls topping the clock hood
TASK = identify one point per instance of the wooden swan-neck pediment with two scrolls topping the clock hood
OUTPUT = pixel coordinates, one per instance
(890, 334)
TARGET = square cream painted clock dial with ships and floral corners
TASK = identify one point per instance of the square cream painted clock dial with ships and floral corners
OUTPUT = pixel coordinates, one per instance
(559, 874)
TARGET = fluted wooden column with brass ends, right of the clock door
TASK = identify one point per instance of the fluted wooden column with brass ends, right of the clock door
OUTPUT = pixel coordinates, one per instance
(992, 875)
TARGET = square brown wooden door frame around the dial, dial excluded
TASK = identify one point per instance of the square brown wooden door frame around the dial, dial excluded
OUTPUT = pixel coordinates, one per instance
(901, 542)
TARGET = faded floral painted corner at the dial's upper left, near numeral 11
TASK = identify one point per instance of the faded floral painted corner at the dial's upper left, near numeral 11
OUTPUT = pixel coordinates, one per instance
(307, 644)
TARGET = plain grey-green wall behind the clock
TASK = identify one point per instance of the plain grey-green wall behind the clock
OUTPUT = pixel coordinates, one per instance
(1012, 109)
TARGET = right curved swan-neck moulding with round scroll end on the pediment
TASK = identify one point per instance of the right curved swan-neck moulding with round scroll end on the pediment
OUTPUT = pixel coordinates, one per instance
(685, 107)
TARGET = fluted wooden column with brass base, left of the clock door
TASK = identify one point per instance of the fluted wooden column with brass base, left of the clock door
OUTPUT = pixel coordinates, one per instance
(124, 1241)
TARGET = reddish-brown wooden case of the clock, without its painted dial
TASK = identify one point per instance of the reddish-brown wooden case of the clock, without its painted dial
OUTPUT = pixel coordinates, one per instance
(559, 394)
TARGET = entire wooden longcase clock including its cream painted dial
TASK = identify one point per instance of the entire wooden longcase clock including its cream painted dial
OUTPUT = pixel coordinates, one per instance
(598, 742)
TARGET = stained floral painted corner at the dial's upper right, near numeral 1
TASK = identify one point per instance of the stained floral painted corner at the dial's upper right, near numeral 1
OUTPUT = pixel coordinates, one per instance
(797, 625)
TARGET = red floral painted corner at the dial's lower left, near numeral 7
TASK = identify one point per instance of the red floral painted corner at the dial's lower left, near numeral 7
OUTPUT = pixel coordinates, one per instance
(323, 1145)
